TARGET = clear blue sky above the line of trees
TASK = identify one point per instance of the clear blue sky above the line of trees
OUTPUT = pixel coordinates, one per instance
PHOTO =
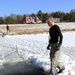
(21, 7)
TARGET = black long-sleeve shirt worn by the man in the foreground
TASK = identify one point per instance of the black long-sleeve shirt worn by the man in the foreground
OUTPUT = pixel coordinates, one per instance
(55, 34)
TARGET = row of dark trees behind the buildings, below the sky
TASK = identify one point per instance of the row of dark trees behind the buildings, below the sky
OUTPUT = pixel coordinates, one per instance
(21, 19)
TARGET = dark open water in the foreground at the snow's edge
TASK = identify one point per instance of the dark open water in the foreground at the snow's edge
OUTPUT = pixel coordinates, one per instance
(21, 68)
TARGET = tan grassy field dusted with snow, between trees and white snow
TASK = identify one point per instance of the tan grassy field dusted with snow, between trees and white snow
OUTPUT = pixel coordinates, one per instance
(35, 28)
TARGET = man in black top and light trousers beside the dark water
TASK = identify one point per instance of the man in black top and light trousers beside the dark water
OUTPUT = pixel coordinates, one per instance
(55, 42)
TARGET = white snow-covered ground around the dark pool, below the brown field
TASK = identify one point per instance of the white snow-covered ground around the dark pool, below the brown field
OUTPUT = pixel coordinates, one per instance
(33, 48)
